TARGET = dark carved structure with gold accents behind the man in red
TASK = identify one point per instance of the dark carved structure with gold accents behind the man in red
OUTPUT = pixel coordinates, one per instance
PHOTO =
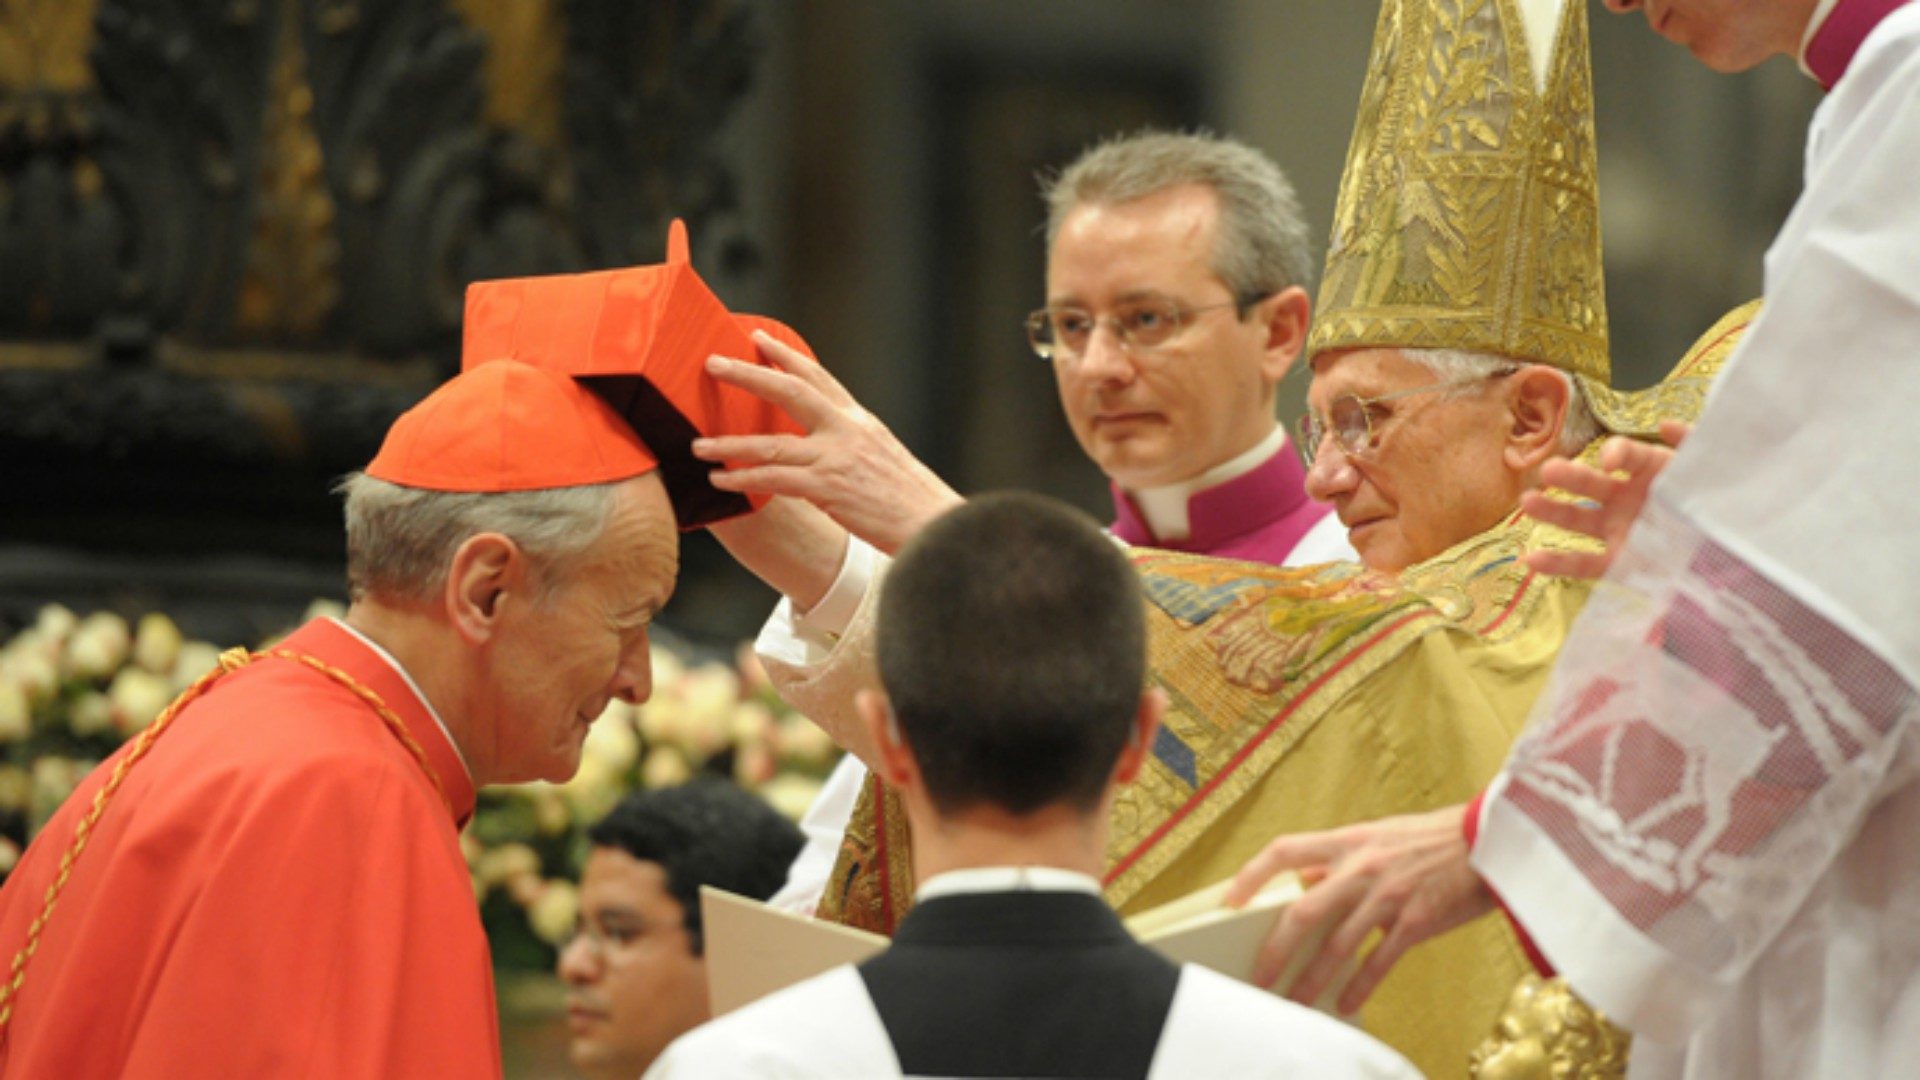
(235, 239)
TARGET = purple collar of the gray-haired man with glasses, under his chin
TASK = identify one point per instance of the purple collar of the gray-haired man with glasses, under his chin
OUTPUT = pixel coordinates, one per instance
(1259, 516)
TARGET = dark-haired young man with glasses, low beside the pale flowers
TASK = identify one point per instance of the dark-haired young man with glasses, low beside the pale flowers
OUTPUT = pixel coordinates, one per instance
(636, 973)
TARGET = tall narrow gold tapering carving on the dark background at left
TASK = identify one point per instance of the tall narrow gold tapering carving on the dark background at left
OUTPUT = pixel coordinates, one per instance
(293, 272)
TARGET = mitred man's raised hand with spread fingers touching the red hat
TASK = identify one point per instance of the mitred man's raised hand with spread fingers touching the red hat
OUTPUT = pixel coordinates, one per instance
(848, 464)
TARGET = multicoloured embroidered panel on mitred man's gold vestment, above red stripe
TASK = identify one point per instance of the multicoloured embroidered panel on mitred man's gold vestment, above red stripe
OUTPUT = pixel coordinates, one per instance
(1278, 652)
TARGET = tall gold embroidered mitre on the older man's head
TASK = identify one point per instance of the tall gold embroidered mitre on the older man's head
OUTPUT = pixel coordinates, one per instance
(1468, 214)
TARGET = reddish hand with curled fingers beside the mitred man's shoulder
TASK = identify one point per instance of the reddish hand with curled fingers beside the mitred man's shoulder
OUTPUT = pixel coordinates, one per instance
(1610, 503)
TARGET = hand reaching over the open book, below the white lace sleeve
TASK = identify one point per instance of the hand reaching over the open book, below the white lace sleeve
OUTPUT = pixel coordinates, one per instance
(1406, 877)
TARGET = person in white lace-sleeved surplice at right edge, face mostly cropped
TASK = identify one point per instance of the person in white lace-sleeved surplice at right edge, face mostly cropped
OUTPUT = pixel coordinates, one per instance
(1710, 827)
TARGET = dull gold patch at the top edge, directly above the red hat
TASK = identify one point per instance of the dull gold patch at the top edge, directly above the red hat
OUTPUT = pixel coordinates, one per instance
(527, 55)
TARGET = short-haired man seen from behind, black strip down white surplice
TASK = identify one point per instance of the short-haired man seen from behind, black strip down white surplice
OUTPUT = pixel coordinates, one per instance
(1013, 658)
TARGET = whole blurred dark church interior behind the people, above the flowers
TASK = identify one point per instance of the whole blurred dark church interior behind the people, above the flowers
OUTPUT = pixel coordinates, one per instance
(235, 233)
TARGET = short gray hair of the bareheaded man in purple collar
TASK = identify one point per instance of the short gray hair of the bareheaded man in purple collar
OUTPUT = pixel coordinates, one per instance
(1262, 245)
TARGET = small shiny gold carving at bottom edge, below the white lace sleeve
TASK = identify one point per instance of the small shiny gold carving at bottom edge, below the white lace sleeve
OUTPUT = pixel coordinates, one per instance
(1548, 1033)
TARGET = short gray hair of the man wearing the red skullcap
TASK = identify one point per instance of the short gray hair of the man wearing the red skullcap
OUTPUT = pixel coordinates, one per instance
(402, 541)
